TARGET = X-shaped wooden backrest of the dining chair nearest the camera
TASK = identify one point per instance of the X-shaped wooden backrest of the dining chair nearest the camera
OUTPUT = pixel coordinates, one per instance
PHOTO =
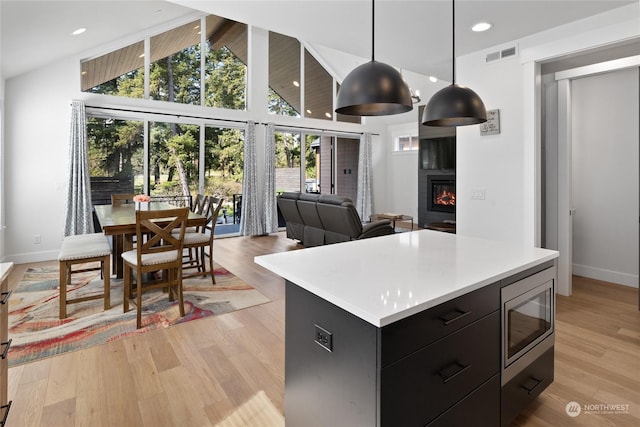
(157, 226)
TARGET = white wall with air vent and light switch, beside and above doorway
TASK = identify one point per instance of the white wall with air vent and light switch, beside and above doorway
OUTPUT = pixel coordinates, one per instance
(506, 165)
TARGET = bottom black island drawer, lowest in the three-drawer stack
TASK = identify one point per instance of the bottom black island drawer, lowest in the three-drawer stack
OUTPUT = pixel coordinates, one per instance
(480, 409)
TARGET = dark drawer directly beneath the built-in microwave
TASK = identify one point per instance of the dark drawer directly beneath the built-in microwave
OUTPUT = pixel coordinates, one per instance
(526, 386)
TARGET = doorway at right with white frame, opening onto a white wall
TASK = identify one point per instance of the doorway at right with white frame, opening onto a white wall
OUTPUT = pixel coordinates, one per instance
(597, 145)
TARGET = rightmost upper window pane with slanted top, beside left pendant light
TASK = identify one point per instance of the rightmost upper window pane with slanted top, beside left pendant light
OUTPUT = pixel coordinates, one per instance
(318, 89)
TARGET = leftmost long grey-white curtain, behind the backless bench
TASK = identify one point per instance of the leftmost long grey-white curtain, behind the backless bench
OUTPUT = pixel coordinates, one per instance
(79, 216)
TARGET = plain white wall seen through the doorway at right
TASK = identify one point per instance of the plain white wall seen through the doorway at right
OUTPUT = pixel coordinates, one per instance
(605, 119)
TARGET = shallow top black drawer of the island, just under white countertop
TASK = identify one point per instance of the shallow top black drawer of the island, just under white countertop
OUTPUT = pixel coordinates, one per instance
(405, 336)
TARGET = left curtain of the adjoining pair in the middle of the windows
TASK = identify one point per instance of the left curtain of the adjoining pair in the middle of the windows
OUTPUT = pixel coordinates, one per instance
(251, 223)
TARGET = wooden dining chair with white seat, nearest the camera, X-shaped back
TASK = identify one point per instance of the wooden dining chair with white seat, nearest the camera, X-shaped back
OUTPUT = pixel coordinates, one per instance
(160, 251)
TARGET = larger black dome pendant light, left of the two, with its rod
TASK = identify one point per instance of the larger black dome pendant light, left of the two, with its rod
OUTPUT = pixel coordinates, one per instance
(373, 88)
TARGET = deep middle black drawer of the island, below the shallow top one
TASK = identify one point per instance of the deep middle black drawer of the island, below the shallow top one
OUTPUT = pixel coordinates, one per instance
(418, 388)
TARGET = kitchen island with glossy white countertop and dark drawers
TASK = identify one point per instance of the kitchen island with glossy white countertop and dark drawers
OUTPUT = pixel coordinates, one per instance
(404, 330)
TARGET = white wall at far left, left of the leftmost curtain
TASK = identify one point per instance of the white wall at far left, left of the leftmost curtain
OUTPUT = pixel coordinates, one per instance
(37, 121)
